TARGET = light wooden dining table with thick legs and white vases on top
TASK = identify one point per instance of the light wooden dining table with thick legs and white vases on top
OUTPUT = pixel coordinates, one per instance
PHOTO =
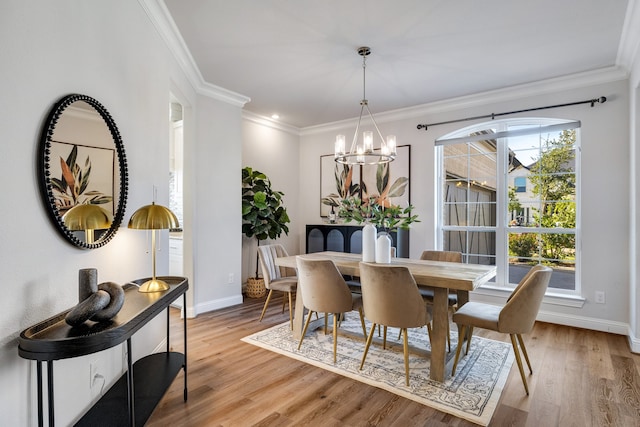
(441, 277)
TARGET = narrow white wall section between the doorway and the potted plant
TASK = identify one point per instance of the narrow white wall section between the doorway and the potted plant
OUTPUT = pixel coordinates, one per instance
(214, 206)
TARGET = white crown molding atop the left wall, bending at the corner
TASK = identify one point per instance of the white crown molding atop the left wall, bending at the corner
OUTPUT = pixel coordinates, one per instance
(161, 19)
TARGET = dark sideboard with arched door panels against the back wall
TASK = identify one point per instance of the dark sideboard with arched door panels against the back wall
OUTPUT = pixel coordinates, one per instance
(348, 238)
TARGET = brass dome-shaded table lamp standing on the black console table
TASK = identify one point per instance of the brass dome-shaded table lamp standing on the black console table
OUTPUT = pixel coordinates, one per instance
(153, 217)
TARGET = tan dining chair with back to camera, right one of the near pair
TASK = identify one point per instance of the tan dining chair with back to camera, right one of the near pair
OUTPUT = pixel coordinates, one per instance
(391, 298)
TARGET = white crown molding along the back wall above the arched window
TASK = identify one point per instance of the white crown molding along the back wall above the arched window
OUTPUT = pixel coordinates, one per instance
(558, 84)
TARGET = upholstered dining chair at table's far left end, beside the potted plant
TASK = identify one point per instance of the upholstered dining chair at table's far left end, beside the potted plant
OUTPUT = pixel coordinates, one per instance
(277, 278)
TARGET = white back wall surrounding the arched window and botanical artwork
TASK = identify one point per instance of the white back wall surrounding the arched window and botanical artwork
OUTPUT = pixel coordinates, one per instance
(605, 179)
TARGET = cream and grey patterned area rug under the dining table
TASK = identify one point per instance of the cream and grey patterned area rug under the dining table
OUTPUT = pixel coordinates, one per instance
(472, 394)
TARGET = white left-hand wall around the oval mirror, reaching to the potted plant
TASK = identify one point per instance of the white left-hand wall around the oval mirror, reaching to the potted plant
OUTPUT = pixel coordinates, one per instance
(110, 51)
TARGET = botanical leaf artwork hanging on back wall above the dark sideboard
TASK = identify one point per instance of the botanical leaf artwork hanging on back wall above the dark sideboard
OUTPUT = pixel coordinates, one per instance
(387, 183)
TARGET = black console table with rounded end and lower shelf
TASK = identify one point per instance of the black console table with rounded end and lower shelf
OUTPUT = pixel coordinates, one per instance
(132, 399)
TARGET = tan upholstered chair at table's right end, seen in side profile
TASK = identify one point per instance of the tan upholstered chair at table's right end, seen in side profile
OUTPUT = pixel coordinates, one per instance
(516, 317)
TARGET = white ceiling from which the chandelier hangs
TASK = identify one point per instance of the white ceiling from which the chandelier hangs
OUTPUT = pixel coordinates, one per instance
(298, 58)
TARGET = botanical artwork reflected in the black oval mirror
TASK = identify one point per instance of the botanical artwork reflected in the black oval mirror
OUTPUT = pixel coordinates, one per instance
(82, 174)
